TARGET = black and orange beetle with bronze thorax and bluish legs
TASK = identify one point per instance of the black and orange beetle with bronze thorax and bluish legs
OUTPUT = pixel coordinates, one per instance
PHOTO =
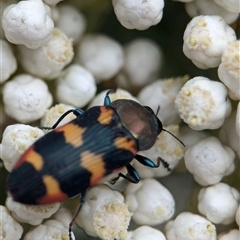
(73, 157)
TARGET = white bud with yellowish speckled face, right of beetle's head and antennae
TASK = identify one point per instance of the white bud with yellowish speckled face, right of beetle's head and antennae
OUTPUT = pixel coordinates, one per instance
(201, 107)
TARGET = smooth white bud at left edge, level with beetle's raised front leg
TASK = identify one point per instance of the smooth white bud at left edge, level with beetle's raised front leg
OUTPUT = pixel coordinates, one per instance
(26, 98)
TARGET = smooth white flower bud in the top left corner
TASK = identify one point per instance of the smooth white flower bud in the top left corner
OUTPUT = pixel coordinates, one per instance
(28, 23)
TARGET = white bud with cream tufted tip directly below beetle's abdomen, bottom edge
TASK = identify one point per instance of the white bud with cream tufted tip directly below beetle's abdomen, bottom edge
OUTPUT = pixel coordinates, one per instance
(104, 214)
